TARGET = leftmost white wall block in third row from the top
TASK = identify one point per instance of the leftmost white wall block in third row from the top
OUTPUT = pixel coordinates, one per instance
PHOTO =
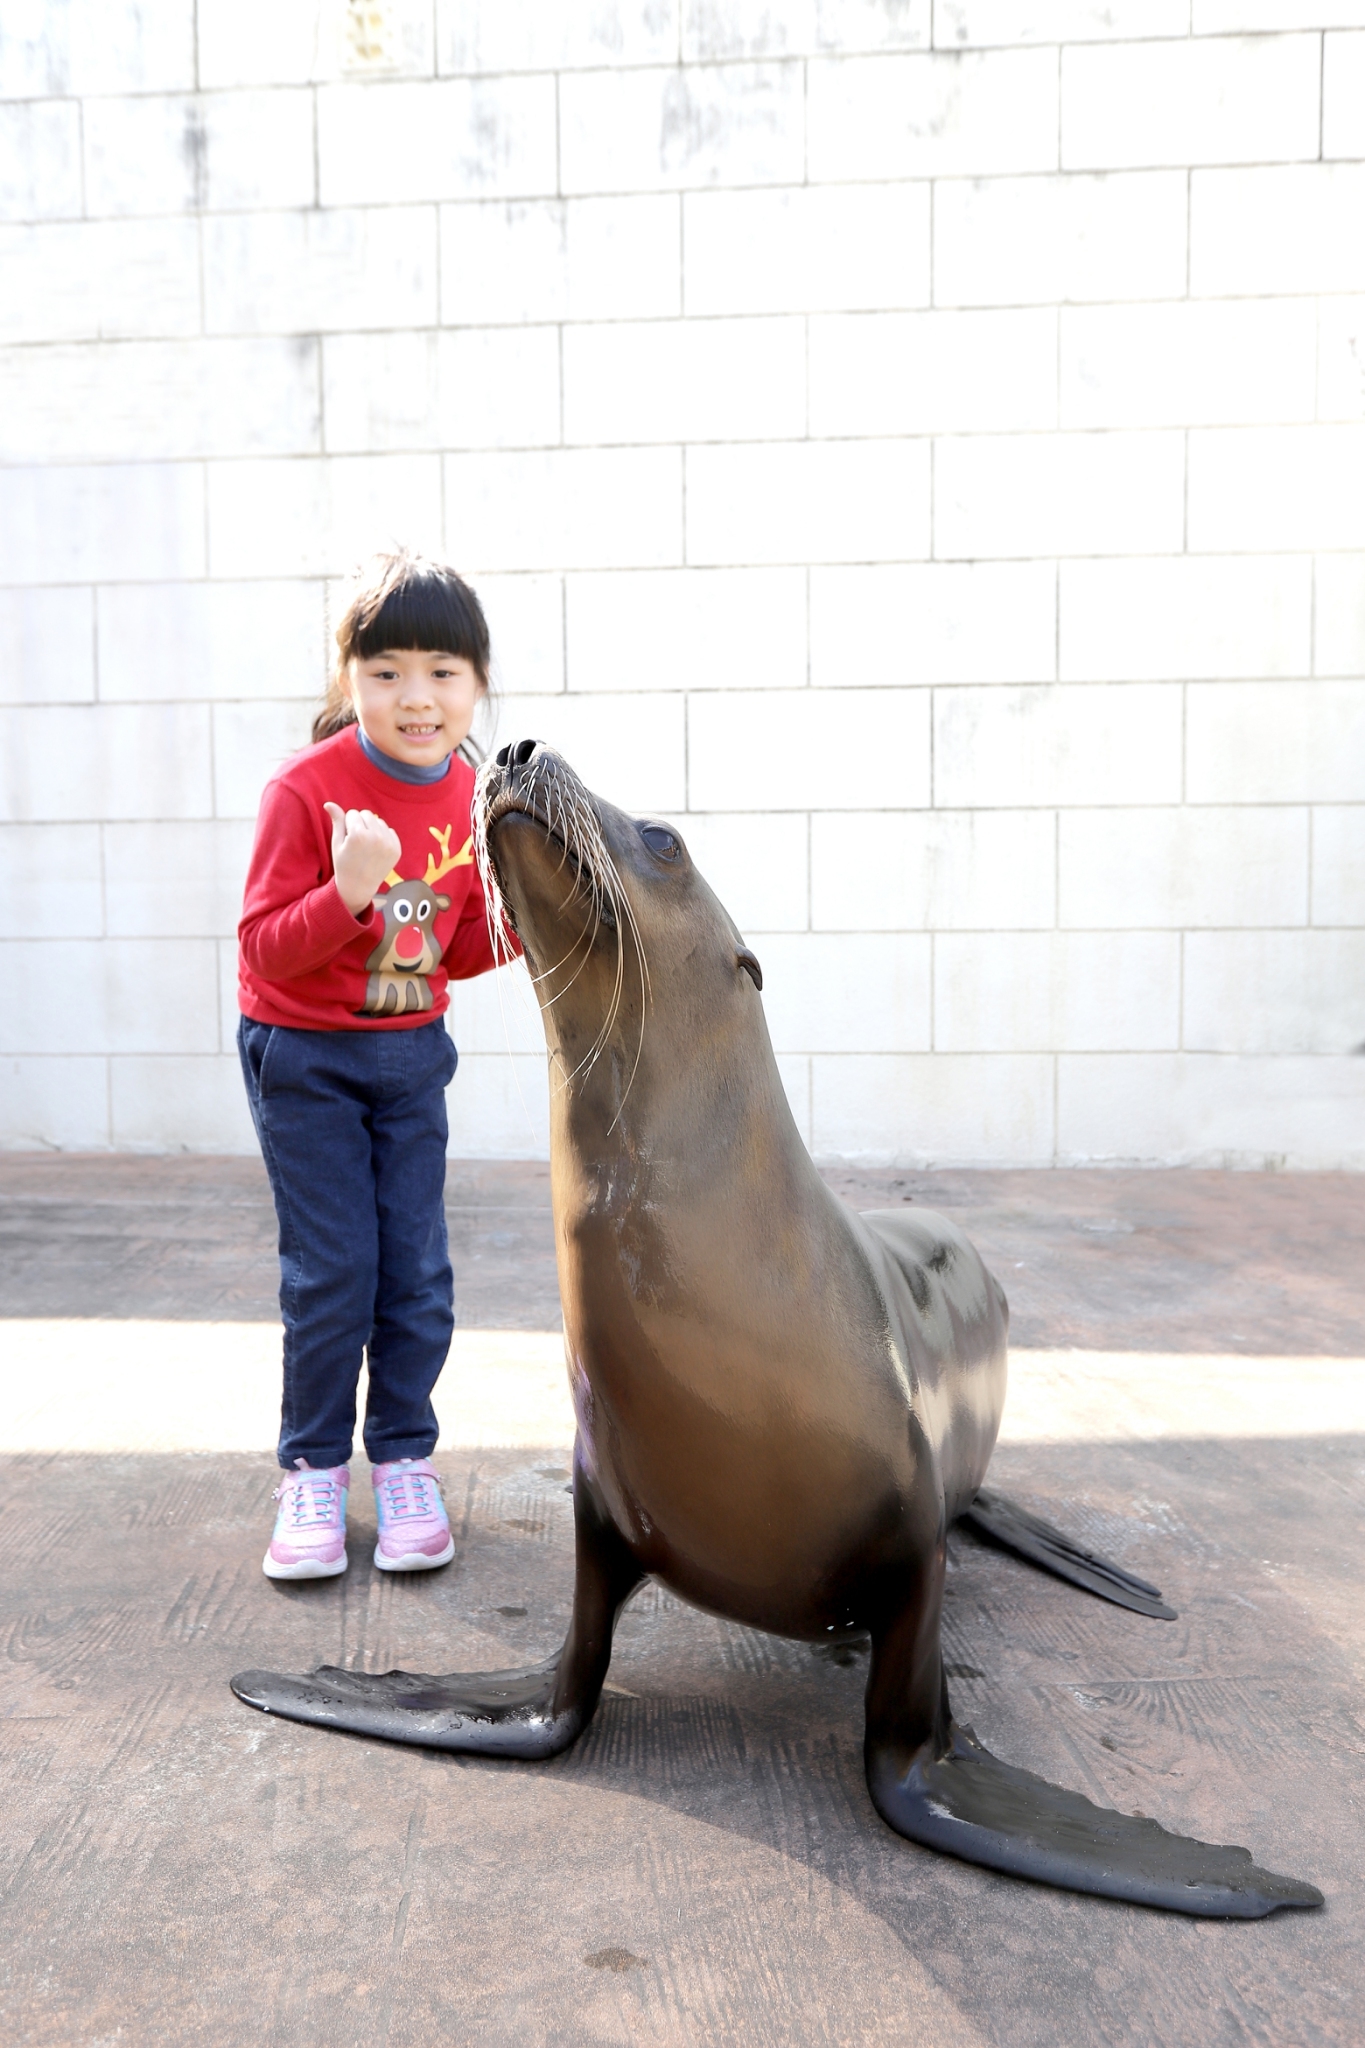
(77, 282)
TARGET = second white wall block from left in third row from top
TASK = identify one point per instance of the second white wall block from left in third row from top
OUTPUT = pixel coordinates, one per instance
(320, 271)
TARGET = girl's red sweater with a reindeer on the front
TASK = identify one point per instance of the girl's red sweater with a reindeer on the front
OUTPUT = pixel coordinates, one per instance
(306, 957)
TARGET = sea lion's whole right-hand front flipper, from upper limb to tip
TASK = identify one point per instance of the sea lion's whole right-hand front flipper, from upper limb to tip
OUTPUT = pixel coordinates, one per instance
(936, 1785)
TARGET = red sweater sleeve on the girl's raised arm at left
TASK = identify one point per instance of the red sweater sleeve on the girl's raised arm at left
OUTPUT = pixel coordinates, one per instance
(294, 919)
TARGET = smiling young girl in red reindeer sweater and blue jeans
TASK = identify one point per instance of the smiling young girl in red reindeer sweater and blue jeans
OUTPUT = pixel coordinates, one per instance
(361, 904)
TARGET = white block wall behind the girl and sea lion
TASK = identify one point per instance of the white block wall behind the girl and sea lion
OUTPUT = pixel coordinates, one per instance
(914, 445)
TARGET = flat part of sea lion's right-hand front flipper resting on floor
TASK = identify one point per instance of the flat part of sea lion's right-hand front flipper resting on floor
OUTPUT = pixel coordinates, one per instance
(967, 1803)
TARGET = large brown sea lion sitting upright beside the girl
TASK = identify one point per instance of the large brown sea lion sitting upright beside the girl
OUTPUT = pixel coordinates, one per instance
(781, 1406)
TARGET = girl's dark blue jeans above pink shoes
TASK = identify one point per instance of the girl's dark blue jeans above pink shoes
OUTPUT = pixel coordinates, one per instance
(353, 1129)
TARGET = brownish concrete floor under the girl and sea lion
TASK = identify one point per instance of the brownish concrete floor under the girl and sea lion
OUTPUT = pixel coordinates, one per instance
(705, 1867)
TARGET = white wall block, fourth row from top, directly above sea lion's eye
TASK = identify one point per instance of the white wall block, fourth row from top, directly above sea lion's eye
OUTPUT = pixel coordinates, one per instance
(687, 380)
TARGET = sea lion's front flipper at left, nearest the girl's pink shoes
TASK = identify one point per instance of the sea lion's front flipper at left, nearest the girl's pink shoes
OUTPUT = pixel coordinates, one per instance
(486, 1713)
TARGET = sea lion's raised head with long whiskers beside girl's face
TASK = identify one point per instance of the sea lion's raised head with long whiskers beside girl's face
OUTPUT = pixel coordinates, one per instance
(611, 910)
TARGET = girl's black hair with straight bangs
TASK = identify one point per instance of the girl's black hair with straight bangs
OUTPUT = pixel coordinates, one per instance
(404, 601)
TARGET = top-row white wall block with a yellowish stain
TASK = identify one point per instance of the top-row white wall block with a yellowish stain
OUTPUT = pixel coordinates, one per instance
(261, 44)
